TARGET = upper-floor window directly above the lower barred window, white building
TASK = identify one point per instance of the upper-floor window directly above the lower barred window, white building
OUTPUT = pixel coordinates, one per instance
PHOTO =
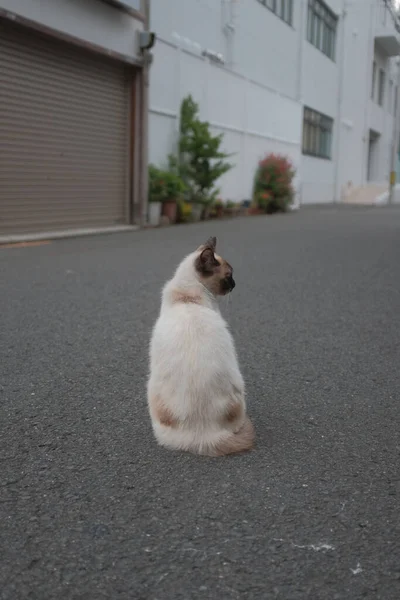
(321, 27)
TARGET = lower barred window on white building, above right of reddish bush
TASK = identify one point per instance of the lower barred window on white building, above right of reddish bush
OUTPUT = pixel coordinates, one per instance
(317, 134)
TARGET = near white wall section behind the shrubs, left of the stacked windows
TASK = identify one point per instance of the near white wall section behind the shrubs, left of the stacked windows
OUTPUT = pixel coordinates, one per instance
(252, 99)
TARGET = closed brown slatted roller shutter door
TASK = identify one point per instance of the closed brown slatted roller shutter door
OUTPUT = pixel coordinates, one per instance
(64, 136)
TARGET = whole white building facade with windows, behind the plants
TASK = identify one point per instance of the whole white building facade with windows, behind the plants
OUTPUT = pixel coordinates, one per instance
(314, 80)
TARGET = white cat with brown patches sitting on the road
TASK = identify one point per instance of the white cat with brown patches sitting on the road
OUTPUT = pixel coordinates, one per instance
(195, 391)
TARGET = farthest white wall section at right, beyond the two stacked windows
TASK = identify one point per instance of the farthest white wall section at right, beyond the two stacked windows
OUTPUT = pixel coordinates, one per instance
(360, 113)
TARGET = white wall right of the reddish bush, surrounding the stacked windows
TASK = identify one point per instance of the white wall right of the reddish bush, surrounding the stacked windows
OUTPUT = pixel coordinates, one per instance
(354, 113)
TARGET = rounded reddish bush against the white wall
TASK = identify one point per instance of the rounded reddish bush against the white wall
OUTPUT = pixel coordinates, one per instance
(273, 190)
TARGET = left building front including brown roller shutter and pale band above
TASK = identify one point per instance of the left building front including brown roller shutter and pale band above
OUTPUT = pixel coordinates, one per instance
(71, 101)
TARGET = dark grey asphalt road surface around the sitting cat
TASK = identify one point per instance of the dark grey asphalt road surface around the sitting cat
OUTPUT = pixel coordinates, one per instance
(91, 508)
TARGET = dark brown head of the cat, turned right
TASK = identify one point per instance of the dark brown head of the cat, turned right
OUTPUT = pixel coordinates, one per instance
(212, 270)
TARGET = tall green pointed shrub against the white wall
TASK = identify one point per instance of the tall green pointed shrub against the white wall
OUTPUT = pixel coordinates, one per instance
(201, 162)
